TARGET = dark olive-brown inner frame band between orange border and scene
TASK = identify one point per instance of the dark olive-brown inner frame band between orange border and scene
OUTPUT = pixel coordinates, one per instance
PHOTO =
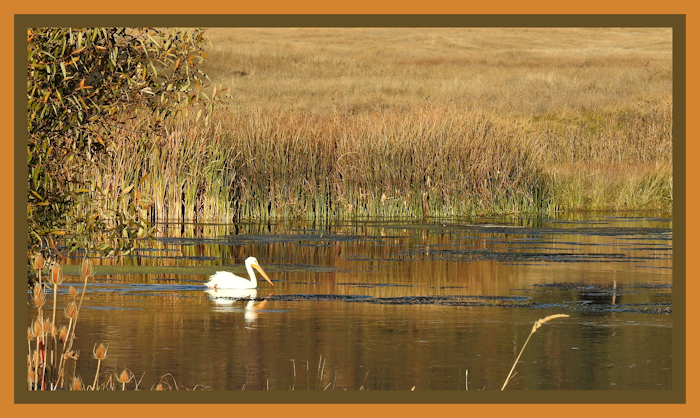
(677, 22)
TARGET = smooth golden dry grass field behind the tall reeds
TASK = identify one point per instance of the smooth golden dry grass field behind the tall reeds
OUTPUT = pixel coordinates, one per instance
(504, 70)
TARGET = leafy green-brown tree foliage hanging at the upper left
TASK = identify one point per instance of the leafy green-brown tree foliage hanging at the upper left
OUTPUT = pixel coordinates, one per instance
(83, 84)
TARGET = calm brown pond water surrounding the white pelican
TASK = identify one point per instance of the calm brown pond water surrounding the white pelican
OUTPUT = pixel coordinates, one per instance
(391, 305)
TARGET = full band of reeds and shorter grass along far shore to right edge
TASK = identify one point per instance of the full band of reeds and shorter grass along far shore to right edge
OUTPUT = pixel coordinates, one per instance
(433, 161)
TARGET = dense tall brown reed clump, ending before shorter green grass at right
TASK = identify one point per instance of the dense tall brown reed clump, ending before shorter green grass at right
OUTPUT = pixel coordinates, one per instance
(426, 162)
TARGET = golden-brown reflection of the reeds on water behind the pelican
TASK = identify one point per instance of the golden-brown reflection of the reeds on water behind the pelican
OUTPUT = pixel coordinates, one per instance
(418, 248)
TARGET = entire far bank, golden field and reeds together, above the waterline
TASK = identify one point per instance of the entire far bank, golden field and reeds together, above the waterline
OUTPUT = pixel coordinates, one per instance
(430, 122)
